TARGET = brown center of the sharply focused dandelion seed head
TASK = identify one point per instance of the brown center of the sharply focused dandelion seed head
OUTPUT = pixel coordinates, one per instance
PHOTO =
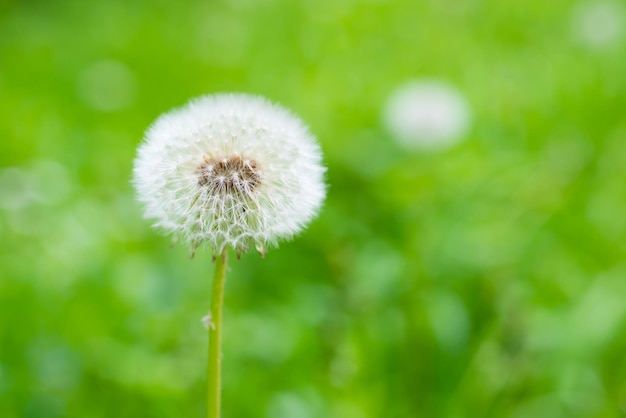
(229, 175)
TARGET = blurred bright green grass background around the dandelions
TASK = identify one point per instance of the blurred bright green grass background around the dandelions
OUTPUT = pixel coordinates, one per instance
(486, 279)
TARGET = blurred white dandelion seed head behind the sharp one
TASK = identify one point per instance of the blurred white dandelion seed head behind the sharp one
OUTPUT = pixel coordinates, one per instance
(427, 114)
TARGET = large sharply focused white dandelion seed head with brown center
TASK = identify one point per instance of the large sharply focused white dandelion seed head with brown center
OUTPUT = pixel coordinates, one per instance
(230, 170)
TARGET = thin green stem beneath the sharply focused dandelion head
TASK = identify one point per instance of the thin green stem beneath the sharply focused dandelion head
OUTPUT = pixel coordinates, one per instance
(214, 369)
